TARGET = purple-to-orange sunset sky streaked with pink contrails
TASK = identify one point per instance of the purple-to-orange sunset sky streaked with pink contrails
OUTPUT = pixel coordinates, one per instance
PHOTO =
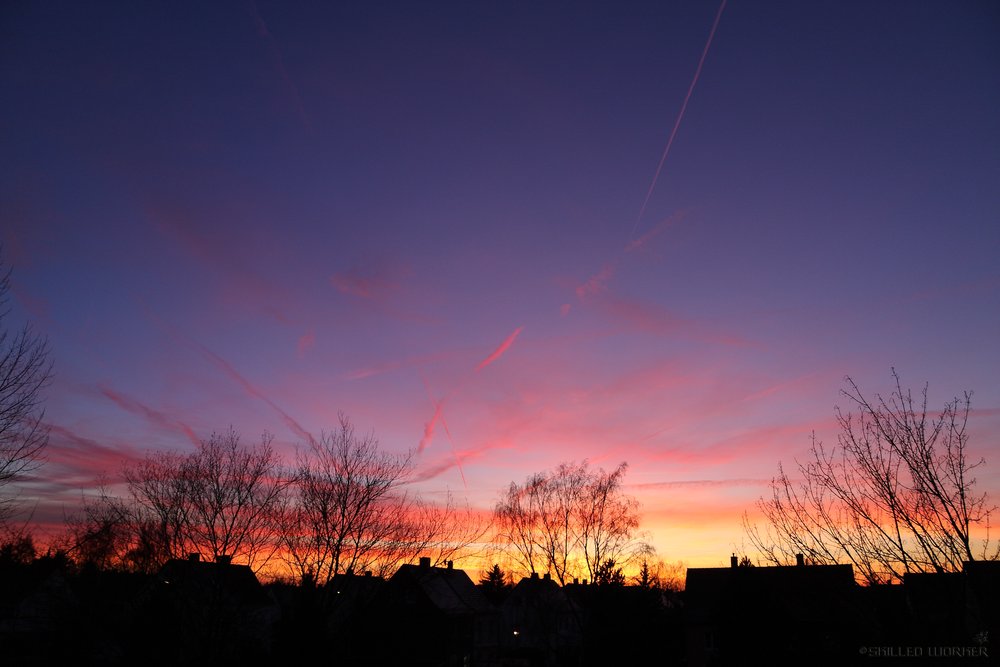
(458, 223)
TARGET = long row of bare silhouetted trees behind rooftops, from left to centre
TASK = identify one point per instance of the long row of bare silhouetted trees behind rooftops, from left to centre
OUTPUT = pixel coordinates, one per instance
(343, 505)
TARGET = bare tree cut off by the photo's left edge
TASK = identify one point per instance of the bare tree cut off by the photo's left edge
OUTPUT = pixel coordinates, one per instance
(25, 370)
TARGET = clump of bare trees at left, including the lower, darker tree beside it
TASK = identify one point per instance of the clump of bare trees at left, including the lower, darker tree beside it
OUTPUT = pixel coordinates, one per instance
(223, 499)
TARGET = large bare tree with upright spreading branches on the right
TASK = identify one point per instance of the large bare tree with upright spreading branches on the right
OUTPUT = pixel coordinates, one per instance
(895, 495)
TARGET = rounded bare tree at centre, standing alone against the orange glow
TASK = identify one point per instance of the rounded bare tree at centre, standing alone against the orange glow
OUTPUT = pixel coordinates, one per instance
(571, 520)
